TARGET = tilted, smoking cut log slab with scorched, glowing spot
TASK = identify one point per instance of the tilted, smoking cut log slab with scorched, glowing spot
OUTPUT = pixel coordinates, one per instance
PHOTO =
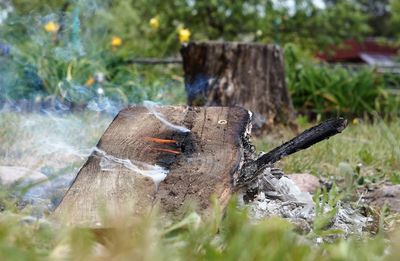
(201, 162)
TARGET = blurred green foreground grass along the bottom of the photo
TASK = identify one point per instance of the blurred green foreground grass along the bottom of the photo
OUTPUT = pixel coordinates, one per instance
(233, 238)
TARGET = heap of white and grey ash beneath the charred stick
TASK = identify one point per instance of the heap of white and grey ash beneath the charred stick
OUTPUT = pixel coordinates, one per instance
(277, 195)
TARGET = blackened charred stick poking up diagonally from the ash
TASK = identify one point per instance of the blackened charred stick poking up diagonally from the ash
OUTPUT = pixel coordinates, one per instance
(251, 170)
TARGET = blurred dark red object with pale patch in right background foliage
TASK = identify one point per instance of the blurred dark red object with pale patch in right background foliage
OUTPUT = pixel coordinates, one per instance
(368, 51)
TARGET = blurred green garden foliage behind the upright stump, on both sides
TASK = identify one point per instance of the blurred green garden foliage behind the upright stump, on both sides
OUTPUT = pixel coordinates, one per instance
(45, 63)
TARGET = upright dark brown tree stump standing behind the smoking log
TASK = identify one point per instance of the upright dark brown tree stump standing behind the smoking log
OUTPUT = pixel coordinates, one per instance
(249, 75)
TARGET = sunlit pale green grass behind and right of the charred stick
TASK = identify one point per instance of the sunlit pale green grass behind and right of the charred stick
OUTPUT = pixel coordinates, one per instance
(373, 147)
